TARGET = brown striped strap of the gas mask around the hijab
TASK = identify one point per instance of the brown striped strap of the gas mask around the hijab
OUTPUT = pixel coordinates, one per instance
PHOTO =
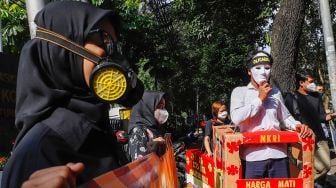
(65, 43)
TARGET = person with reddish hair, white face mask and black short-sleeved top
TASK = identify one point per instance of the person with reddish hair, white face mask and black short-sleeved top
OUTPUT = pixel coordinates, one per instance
(220, 116)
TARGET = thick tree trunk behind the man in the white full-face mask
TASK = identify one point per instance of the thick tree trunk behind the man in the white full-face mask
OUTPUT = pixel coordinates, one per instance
(286, 31)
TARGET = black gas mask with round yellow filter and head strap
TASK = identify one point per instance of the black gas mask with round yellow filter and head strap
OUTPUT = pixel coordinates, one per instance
(112, 80)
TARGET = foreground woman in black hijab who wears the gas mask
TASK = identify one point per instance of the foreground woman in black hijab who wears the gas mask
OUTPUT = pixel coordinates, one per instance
(60, 120)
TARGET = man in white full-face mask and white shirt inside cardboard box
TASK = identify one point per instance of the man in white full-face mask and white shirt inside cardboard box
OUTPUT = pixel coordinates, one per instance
(259, 107)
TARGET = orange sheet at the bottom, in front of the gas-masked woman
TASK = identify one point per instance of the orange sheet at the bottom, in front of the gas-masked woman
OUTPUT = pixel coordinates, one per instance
(149, 171)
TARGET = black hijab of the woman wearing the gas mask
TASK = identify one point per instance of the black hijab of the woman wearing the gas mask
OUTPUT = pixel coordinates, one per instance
(50, 81)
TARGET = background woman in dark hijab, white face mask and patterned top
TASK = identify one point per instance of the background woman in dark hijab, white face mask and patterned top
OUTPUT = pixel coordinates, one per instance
(145, 126)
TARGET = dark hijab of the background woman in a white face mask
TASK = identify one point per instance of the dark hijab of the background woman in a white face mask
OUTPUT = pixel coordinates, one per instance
(143, 112)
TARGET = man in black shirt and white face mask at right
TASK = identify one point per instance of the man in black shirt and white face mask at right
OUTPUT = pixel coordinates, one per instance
(306, 105)
